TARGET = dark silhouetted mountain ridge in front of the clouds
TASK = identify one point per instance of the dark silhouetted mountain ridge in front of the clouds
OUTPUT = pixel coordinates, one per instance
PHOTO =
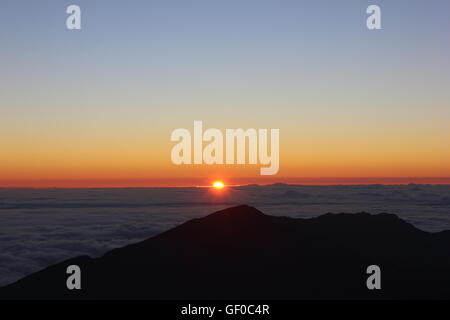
(242, 253)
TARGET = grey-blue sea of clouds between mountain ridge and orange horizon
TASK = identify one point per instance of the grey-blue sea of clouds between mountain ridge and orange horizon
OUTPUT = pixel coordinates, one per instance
(40, 227)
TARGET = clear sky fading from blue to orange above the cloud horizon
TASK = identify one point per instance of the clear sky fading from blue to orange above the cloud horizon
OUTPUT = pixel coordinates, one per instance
(96, 106)
